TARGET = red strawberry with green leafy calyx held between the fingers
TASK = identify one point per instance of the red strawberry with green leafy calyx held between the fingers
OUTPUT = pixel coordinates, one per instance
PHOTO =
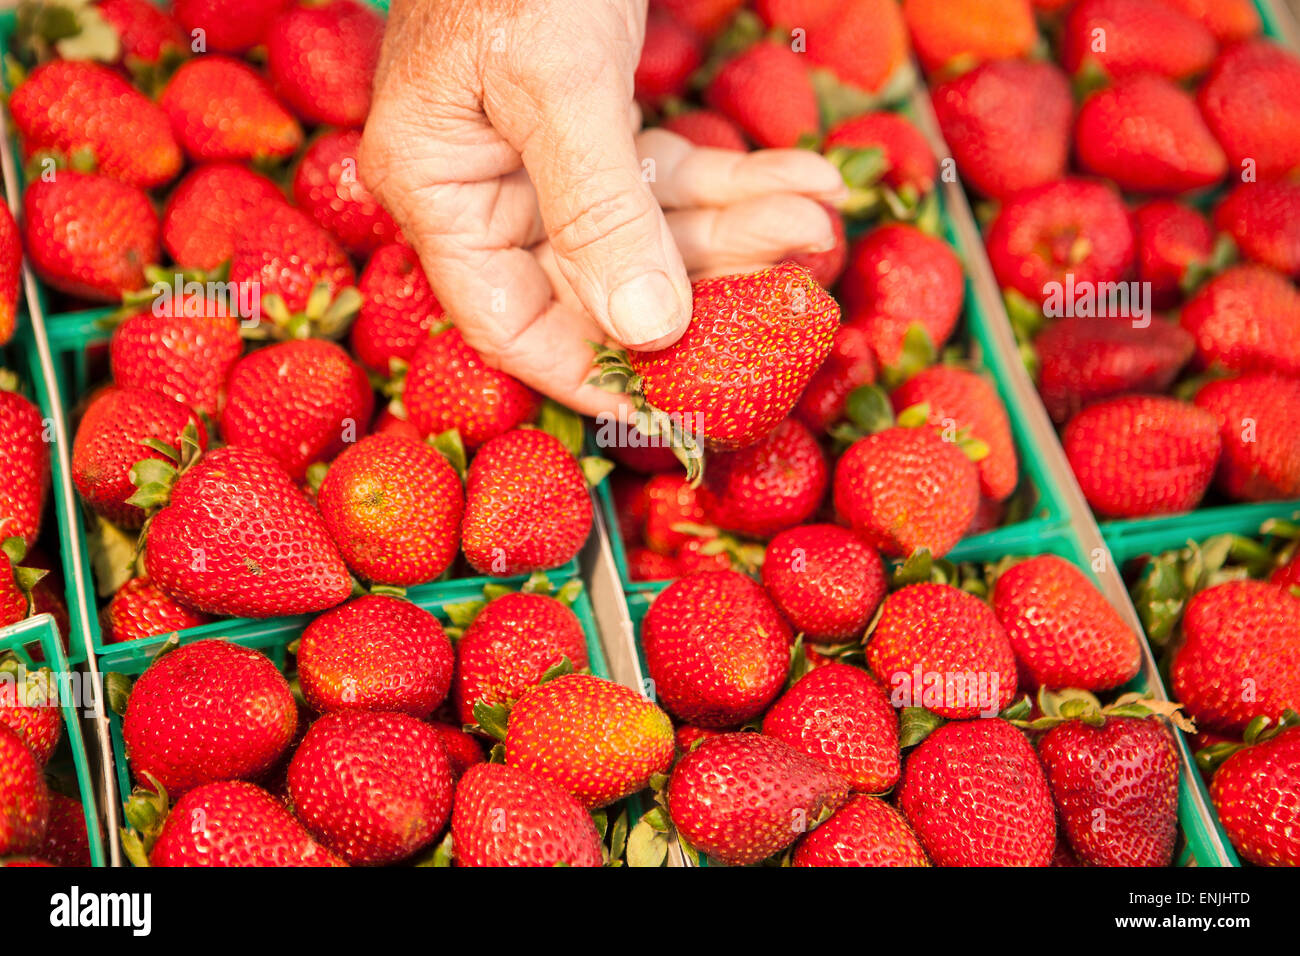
(753, 344)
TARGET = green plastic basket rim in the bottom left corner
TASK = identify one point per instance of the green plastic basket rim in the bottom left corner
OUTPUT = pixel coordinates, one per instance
(71, 760)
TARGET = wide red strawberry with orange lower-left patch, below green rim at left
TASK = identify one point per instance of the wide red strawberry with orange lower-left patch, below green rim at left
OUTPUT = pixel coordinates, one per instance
(376, 654)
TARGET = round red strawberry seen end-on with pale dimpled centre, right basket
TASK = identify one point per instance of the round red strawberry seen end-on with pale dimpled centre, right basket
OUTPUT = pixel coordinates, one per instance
(1047, 233)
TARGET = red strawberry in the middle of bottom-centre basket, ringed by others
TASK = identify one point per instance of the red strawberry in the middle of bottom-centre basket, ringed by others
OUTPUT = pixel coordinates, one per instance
(838, 715)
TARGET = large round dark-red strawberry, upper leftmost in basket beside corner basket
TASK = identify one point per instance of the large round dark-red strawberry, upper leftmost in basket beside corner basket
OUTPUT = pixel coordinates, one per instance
(207, 712)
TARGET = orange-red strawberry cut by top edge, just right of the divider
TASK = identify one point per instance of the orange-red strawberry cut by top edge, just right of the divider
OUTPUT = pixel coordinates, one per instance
(963, 33)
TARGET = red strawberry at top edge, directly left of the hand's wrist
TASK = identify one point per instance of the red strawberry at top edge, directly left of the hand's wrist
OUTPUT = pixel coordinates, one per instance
(322, 59)
